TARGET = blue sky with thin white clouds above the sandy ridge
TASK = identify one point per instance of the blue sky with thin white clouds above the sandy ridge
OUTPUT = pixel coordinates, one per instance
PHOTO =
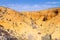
(30, 5)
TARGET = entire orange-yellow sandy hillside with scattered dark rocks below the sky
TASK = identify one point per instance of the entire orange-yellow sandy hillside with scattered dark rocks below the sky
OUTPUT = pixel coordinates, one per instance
(36, 25)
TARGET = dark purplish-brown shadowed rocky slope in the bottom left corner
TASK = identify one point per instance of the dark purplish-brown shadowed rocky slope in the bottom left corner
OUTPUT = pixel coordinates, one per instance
(4, 35)
